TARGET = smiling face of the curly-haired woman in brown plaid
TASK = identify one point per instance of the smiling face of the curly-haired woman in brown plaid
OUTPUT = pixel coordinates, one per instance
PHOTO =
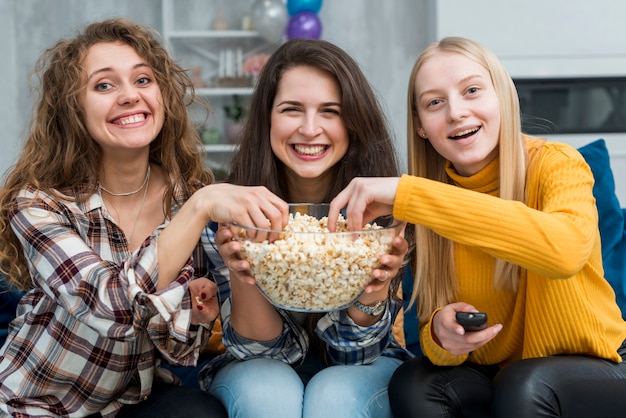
(122, 103)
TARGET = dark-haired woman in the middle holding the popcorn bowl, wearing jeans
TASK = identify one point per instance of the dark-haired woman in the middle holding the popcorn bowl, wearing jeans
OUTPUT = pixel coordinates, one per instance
(315, 123)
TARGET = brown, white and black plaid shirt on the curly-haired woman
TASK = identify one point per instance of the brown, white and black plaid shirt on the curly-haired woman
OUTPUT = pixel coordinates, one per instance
(91, 333)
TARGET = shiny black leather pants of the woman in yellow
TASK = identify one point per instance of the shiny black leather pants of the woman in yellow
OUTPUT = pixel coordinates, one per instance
(558, 386)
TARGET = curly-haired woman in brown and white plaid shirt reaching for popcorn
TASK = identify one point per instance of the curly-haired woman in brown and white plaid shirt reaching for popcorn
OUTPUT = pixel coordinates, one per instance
(100, 223)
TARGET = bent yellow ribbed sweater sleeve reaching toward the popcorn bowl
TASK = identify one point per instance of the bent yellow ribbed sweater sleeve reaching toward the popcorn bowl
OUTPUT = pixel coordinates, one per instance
(553, 240)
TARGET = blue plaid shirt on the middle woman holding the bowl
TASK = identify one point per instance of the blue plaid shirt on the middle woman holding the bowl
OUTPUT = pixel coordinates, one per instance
(346, 342)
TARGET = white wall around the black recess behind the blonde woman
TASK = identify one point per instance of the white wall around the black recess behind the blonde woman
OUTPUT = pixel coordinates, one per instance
(539, 38)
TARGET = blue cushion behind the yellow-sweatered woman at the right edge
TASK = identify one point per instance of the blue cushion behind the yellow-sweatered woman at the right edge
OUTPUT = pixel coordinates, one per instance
(610, 219)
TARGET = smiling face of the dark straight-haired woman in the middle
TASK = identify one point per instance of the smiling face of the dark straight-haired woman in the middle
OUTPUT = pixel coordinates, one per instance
(307, 132)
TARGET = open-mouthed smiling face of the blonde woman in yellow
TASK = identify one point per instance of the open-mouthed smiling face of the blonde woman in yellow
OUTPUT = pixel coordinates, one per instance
(458, 111)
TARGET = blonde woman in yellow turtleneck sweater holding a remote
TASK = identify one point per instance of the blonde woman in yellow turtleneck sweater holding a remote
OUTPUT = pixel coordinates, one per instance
(505, 224)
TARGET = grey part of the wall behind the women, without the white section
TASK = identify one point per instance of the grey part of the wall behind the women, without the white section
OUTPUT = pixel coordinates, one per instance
(383, 36)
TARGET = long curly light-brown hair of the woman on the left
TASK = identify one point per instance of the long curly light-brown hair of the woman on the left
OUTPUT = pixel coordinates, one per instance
(59, 154)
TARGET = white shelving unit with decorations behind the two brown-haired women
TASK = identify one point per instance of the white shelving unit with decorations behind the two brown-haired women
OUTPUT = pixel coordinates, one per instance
(214, 57)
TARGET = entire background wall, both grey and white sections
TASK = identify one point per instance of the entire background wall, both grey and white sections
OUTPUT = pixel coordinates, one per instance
(532, 37)
